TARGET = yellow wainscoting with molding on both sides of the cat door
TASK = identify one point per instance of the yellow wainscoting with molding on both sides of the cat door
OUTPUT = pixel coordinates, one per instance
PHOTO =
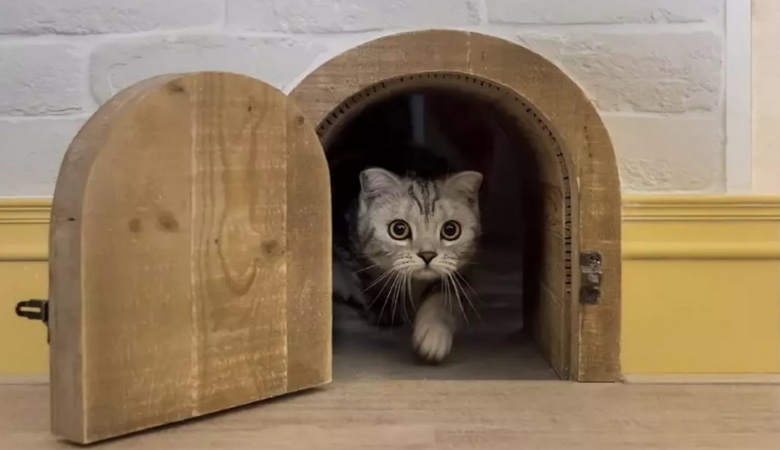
(701, 286)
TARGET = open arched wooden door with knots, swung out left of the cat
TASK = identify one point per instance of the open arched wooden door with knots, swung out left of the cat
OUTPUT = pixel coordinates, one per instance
(190, 257)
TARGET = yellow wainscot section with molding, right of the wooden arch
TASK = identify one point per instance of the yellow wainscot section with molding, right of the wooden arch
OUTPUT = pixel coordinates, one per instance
(701, 285)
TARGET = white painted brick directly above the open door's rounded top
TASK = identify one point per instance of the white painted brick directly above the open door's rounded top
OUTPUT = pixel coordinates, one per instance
(121, 63)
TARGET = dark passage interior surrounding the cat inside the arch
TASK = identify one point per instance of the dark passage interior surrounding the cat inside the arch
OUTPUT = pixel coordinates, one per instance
(471, 133)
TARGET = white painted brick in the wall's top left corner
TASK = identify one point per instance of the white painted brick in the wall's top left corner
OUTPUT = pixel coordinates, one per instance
(106, 16)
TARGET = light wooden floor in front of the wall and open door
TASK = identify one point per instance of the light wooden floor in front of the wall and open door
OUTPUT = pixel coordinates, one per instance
(459, 414)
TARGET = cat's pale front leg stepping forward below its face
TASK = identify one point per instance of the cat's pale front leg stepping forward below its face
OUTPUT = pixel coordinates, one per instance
(434, 327)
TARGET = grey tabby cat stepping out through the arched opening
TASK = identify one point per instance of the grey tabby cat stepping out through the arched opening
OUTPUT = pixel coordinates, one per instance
(408, 238)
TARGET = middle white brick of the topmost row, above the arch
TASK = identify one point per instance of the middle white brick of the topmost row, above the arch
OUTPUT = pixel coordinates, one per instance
(320, 16)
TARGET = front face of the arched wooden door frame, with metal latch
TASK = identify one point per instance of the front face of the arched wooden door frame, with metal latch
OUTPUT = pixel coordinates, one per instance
(564, 112)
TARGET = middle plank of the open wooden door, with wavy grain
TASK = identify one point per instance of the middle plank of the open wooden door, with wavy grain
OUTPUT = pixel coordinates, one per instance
(238, 265)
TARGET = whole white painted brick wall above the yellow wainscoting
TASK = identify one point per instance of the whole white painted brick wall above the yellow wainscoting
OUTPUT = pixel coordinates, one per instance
(654, 67)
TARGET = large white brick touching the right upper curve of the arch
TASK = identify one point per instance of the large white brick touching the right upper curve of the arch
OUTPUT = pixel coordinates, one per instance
(651, 72)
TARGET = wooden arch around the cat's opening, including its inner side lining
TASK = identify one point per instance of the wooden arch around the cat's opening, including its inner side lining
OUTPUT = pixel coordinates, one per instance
(580, 338)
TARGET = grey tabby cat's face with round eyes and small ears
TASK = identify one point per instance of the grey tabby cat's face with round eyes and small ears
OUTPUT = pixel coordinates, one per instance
(426, 229)
